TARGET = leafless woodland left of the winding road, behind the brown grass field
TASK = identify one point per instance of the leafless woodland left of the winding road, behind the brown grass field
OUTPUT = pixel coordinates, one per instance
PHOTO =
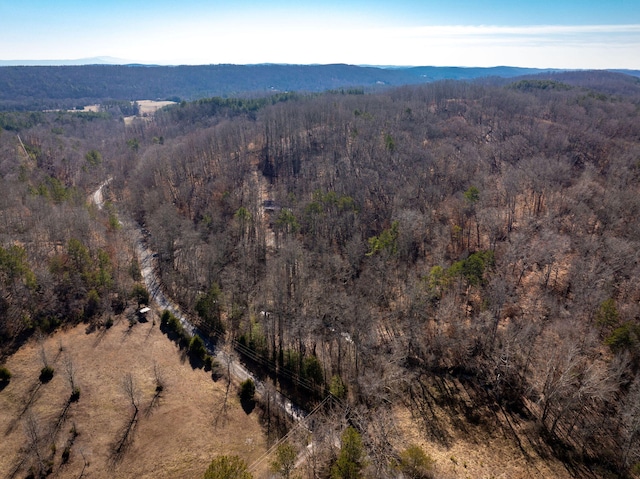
(61, 261)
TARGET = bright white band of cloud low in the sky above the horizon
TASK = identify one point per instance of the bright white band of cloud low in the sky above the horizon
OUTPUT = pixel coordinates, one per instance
(255, 41)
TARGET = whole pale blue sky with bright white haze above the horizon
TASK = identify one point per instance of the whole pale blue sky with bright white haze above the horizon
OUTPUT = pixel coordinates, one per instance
(544, 33)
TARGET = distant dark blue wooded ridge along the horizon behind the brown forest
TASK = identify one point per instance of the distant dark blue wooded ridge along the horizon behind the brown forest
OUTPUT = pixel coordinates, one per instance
(42, 87)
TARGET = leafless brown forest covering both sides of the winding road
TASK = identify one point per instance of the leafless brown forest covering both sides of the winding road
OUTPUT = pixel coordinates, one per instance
(460, 246)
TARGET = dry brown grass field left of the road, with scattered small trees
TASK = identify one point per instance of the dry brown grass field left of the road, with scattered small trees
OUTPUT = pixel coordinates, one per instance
(175, 436)
